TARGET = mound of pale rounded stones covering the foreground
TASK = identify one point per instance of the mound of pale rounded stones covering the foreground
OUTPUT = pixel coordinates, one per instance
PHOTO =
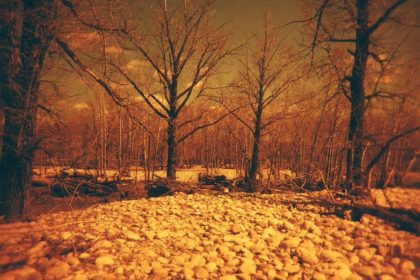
(230, 236)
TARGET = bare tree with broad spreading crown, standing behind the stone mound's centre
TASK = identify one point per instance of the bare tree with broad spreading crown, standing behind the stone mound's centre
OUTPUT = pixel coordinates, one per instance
(182, 53)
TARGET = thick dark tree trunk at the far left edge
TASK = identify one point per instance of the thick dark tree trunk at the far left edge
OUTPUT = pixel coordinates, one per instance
(19, 87)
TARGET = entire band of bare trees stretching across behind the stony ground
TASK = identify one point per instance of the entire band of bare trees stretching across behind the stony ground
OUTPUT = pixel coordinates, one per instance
(172, 90)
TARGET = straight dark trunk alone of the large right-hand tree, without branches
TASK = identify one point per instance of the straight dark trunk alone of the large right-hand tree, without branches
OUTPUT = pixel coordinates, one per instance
(357, 91)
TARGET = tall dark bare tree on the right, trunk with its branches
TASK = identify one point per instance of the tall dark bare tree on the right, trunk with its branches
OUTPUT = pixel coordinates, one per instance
(354, 24)
